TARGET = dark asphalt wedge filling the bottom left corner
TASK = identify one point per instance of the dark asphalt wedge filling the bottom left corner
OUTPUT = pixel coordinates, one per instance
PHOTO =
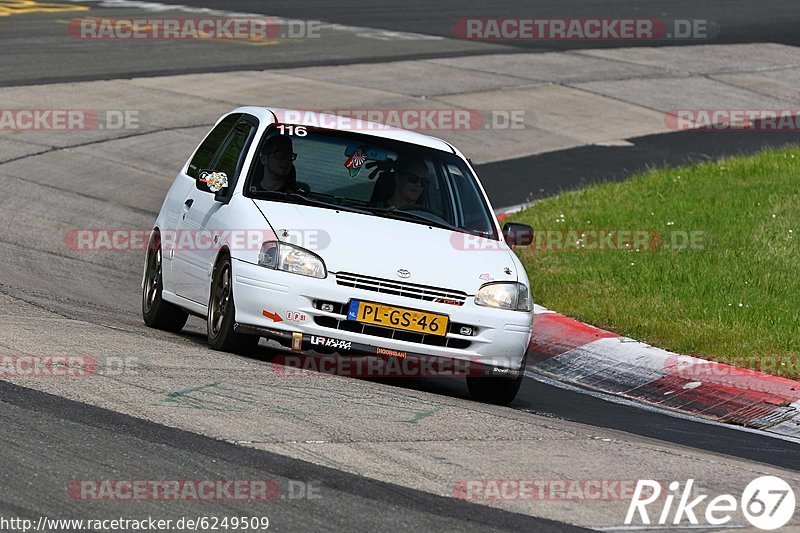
(50, 442)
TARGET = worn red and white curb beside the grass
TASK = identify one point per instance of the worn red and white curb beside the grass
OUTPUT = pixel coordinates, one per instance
(569, 351)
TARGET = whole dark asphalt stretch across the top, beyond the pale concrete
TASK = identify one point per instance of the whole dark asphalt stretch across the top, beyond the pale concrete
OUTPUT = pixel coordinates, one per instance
(37, 47)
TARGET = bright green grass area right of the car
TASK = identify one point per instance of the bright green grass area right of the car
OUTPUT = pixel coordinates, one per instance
(735, 299)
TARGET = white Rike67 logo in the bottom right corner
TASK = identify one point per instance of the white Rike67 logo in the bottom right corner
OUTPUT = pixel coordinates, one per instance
(768, 503)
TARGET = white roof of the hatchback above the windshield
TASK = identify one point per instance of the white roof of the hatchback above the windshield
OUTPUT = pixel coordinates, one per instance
(343, 123)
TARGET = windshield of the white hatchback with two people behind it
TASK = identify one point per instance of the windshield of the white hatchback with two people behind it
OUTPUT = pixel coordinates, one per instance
(370, 175)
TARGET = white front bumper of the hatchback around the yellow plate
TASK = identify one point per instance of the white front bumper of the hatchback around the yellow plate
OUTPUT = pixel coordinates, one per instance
(281, 306)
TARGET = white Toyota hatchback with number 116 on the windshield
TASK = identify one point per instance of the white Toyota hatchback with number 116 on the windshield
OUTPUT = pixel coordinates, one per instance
(334, 236)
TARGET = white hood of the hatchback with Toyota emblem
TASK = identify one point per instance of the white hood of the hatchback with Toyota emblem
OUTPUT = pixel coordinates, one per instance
(380, 247)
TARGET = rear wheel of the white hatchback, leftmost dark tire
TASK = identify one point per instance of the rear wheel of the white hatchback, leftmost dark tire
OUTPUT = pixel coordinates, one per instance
(156, 312)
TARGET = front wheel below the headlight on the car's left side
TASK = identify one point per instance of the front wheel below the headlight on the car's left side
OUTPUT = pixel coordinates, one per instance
(222, 313)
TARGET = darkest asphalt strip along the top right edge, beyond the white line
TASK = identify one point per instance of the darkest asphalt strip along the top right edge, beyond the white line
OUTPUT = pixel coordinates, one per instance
(738, 21)
